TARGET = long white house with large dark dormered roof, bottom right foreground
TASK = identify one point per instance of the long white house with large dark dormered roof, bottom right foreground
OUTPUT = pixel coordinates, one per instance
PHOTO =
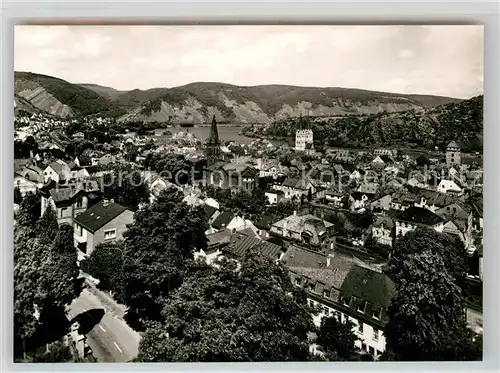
(339, 286)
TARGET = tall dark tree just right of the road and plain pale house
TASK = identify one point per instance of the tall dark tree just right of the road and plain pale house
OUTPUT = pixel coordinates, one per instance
(158, 244)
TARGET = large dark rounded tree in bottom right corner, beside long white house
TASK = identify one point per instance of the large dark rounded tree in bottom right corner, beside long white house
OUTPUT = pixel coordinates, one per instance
(426, 316)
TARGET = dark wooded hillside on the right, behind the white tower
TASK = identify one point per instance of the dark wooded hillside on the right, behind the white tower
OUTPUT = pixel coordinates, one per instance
(461, 122)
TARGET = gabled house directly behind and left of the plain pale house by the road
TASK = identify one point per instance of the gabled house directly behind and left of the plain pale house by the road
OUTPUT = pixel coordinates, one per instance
(68, 202)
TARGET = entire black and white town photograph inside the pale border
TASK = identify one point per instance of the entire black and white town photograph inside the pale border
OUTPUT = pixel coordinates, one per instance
(247, 193)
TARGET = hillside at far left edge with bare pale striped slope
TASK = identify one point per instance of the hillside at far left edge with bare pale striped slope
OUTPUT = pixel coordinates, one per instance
(61, 98)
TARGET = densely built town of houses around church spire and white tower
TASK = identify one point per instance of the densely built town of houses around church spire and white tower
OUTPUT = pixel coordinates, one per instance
(332, 218)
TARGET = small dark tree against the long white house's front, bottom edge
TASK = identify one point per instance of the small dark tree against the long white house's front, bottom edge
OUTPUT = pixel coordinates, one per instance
(337, 339)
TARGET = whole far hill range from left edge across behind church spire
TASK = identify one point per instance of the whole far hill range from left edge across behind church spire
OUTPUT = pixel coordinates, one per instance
(198, 102)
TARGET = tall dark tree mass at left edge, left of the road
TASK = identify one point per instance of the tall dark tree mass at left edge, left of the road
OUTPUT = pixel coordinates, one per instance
(45, 281)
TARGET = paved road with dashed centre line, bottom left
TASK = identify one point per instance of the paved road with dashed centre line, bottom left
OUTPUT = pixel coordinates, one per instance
(111, 339)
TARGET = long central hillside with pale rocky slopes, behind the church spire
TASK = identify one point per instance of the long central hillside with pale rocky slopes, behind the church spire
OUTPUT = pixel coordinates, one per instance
(198, 102)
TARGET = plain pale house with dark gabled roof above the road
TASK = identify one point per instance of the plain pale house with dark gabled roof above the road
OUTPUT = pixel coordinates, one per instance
(104, 222)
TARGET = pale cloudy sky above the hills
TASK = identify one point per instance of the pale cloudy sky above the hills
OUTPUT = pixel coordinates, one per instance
(437, 60)
